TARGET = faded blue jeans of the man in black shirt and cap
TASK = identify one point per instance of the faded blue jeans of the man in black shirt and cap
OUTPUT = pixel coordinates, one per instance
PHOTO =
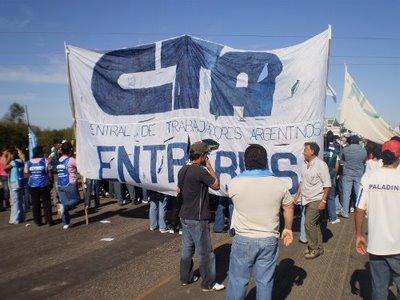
(196, 237)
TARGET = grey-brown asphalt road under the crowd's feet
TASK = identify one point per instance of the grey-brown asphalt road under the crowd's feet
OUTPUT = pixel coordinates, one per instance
(52, 263)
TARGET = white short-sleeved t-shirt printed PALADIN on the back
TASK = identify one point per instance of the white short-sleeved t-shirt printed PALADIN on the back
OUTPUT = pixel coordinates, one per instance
(380, 197)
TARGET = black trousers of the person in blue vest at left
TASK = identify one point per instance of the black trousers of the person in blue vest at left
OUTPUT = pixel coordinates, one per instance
(41, 196)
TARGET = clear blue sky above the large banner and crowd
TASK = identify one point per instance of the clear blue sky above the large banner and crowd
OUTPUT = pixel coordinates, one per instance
(32, 35)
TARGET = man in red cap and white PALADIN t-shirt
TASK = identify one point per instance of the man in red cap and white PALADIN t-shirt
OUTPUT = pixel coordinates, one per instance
(380, 197)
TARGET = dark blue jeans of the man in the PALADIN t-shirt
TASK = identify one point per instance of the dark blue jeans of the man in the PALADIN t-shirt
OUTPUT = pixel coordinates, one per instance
(383, 270)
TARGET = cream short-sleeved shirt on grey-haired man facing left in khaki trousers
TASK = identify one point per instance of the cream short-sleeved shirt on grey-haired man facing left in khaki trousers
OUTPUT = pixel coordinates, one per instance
(314, 177)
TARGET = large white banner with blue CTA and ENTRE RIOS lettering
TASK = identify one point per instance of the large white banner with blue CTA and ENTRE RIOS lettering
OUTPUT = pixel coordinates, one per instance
(137, 108)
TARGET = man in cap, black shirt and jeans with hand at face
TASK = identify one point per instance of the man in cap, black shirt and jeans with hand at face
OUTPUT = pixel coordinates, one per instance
(194, 179)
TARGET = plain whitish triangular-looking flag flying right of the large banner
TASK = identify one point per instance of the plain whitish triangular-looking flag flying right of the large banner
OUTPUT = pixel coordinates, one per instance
(359, 116)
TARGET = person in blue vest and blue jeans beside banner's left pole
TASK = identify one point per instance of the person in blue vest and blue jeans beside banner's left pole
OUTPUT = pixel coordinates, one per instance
(67, 185)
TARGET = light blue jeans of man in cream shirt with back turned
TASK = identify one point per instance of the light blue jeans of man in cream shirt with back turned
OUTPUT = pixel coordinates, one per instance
(246, 253)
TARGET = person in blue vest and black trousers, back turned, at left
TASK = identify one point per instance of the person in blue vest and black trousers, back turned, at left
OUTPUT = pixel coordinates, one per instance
(40, 180)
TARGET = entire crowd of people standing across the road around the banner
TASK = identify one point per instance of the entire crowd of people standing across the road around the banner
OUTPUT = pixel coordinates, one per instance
(352, 174)
